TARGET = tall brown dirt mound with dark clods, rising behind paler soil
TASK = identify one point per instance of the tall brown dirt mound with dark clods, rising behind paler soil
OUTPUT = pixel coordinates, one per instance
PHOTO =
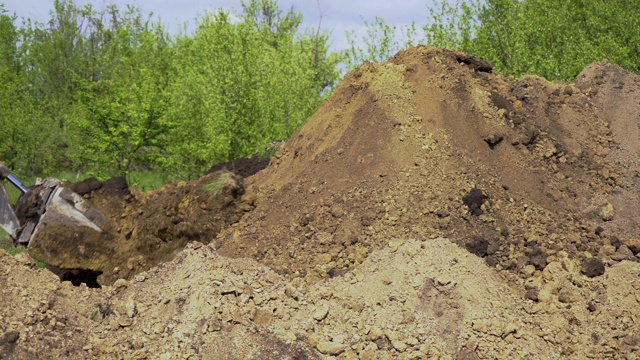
(431, 143)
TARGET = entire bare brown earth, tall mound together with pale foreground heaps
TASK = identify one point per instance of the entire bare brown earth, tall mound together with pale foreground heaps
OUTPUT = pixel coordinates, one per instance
(429, 209)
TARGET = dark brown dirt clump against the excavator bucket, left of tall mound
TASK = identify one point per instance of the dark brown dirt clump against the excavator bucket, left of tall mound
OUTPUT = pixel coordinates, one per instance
(142, 230)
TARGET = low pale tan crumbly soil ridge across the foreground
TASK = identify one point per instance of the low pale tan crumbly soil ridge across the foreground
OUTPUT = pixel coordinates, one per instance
(411, 300)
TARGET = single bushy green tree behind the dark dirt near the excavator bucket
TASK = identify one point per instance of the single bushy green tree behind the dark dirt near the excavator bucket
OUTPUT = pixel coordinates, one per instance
(123, 97)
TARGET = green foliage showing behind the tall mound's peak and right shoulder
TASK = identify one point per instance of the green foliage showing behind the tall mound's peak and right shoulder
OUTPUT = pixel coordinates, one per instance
(552, 39)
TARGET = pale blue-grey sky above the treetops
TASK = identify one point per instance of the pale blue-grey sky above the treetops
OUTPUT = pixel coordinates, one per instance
(338, 16)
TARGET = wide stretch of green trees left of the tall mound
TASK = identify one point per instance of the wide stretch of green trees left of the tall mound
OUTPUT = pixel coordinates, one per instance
(111, 91)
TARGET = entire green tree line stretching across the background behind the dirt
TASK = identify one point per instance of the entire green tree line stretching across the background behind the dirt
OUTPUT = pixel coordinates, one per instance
(108, 92)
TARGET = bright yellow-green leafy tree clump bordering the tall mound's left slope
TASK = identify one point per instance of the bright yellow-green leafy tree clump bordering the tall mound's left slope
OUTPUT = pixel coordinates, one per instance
(242, 84)
